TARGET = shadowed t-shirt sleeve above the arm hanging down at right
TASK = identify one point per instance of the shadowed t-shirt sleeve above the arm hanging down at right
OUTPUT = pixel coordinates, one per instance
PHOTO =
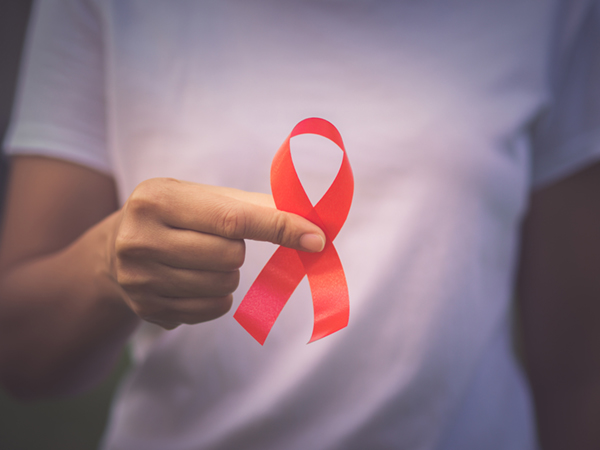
(566, 137)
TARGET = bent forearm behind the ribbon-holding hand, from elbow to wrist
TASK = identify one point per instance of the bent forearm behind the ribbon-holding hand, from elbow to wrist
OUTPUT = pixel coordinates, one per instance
(63, 320)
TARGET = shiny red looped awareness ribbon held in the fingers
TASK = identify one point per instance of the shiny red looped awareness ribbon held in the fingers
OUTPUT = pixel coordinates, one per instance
(279, 278)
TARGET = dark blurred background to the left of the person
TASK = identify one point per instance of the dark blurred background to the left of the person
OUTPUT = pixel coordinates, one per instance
(66, 424)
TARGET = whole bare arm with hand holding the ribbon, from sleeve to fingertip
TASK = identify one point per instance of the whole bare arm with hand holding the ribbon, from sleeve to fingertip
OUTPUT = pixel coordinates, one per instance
(76, 274)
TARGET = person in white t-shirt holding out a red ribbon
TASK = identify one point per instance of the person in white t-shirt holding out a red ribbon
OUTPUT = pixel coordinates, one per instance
(141, 145)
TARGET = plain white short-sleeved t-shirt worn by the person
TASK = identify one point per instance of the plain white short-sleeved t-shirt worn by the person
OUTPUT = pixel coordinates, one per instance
(451, 111)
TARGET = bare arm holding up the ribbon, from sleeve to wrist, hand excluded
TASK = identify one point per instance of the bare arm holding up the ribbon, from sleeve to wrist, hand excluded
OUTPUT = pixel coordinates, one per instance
(56, 297)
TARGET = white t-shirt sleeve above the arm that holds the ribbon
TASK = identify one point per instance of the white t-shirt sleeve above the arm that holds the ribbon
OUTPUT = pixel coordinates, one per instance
(60, 106)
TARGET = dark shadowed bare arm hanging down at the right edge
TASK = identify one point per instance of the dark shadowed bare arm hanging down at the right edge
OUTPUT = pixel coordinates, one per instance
(559, 293)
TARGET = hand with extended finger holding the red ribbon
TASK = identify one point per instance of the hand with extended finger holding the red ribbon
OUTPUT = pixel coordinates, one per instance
(179, 246)
